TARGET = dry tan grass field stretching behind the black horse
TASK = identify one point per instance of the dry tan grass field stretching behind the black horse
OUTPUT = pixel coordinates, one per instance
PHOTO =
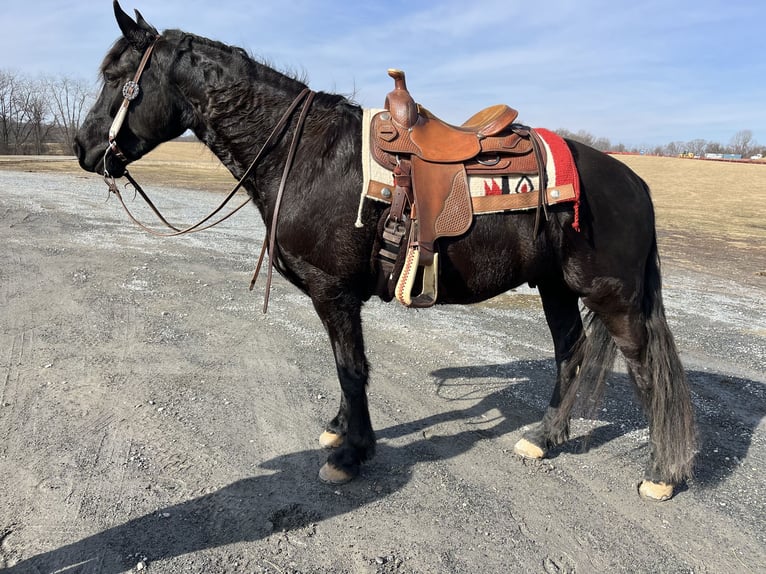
(710, 215)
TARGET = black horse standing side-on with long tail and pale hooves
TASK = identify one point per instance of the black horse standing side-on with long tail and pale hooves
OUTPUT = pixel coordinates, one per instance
(231, 103)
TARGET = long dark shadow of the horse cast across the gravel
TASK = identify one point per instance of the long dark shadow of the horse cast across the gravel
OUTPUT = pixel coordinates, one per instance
(288, 499)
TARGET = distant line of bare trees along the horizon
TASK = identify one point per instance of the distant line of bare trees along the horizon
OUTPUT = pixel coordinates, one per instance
(41, 115)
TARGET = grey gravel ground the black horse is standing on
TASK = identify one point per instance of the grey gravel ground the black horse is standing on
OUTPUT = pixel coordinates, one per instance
(153, 419)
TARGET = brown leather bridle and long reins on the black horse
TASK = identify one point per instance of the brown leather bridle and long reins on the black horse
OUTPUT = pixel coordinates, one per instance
(130, 92)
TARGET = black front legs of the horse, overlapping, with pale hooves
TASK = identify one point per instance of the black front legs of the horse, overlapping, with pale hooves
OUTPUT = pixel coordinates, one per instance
(350, 433)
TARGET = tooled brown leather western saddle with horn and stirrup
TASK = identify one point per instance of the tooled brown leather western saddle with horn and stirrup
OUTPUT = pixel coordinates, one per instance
(431, 161)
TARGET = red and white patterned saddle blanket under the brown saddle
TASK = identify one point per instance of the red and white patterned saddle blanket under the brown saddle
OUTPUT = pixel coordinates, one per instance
(510, 192)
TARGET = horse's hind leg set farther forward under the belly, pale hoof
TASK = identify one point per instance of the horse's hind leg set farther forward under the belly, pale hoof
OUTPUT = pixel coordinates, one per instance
(562, 313)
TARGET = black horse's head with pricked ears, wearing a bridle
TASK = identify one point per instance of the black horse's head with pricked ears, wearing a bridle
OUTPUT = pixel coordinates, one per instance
(152, 113)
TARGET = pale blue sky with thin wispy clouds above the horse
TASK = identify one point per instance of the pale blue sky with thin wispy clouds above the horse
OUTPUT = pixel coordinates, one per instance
(644, 72)
